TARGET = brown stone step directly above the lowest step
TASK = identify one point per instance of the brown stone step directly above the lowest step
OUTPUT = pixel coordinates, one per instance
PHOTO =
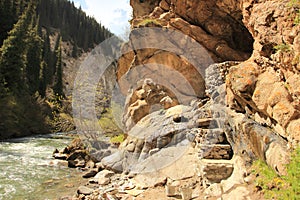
(216, 151)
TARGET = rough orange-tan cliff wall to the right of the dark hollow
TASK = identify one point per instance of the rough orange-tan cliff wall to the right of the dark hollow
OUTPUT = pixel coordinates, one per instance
(268, 84)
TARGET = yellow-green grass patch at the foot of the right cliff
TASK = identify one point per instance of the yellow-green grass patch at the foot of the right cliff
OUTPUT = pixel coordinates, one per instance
(276, 187)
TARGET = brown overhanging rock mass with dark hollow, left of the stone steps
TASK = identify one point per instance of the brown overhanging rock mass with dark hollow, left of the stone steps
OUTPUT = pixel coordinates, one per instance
(216, 26)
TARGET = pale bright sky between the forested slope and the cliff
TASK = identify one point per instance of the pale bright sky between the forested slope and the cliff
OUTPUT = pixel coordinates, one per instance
(113, 14)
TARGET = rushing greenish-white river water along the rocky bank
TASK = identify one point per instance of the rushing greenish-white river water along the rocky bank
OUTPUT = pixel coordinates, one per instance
(25, 172)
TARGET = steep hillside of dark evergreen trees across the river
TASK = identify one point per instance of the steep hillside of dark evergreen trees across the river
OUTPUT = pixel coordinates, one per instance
(31, 69)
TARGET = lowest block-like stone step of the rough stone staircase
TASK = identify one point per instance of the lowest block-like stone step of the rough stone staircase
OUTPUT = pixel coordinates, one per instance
(214, 171)
